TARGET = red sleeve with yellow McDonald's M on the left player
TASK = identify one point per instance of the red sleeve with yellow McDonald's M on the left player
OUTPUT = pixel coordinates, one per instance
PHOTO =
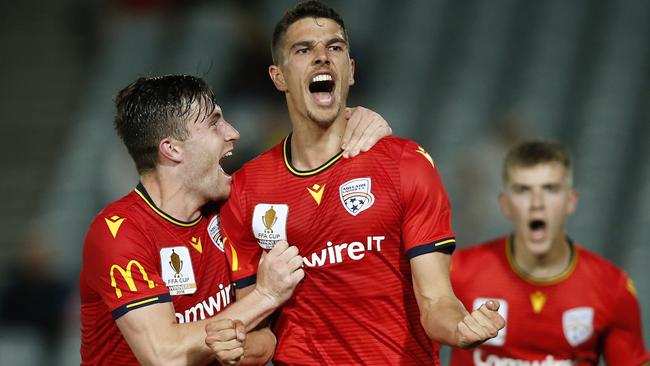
(120, 265)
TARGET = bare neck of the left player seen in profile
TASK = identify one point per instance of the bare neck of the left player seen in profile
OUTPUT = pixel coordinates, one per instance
(171, 196)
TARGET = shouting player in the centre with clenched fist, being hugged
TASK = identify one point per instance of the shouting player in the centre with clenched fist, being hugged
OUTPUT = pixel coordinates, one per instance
(374, 231)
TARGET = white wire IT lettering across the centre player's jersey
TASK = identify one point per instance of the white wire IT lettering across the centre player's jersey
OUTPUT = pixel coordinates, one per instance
(338, 253)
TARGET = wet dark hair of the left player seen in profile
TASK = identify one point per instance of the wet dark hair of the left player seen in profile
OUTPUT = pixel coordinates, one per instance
(153, 108)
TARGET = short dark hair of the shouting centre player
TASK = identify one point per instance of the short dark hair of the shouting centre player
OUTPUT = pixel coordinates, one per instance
(306, 9)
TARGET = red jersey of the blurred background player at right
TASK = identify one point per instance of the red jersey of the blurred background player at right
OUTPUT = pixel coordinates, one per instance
(573, 319)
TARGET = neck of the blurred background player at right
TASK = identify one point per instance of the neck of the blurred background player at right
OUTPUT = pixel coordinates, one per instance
(545, 266)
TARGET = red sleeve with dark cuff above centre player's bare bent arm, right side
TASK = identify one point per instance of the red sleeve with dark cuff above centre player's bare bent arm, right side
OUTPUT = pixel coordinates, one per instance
(426, 224)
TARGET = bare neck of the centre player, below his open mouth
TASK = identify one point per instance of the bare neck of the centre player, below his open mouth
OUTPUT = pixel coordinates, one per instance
(313, 144)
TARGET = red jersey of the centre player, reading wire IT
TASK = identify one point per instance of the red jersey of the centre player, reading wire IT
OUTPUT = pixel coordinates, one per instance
(356, 222)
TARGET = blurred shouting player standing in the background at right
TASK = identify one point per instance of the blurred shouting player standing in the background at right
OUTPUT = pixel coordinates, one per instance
(564, 304)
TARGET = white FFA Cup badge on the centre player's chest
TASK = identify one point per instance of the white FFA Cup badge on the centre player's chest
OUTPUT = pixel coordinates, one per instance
(270, 224)
